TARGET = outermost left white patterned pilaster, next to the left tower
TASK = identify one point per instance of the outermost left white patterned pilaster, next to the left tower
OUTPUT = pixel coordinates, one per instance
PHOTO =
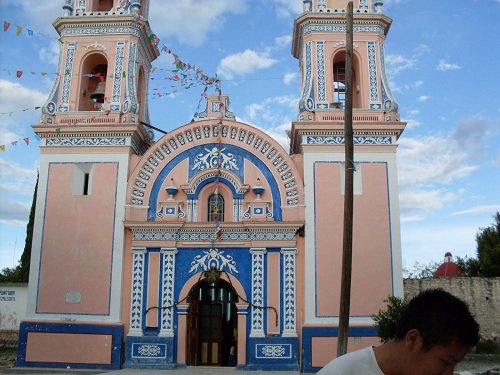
(138, 266)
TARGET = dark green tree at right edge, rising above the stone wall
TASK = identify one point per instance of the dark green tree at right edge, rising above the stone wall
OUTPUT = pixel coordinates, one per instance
(488, 248)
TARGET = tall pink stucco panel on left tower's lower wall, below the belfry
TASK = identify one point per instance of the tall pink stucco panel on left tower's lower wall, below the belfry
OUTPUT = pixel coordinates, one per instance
(70, 262)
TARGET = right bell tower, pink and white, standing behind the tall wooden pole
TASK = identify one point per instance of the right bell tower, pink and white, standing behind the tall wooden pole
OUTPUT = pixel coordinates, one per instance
(319, 43)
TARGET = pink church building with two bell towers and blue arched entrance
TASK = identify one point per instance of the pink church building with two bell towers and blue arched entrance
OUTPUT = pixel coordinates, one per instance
(211, 246)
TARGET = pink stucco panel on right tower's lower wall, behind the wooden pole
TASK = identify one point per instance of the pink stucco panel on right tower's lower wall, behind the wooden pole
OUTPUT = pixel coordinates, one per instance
(371, 240)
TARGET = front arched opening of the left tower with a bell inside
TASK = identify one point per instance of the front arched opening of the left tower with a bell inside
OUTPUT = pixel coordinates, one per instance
(93, 83)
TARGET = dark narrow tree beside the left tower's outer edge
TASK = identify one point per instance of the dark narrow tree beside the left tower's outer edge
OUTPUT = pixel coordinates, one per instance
(20, 273)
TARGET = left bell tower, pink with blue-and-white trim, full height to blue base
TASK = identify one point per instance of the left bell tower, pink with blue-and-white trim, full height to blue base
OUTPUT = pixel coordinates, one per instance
(91, 135)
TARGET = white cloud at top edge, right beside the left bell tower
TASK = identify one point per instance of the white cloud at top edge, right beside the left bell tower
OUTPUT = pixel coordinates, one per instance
(205, 17)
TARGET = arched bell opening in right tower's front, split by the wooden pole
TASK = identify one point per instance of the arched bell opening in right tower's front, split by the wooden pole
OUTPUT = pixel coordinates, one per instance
(339, 80)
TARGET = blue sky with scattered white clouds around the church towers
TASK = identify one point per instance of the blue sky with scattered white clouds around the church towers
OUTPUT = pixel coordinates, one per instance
(442, 60)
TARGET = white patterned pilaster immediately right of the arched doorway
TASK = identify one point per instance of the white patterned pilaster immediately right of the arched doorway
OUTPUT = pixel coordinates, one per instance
(257, 314)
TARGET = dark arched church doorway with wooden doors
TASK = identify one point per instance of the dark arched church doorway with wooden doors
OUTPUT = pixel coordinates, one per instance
(212, 324)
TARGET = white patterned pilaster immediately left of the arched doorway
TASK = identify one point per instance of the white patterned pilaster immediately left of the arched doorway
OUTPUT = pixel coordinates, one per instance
(167, 291)
